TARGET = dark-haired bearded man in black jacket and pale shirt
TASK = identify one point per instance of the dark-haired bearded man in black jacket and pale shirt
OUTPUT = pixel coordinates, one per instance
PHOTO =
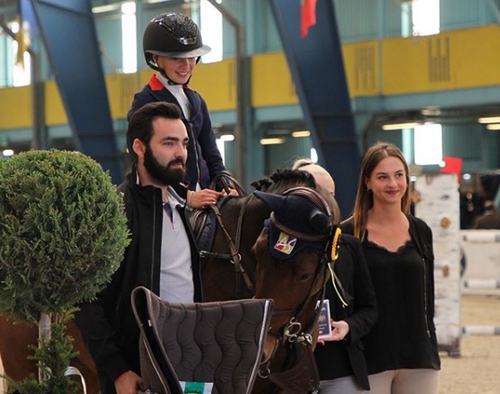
(162, 255)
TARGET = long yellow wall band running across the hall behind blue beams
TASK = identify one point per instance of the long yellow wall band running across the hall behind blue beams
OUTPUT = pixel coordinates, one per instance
(458, 59)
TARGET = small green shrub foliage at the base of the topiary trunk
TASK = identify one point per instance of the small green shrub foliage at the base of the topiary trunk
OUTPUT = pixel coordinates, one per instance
(53, 356)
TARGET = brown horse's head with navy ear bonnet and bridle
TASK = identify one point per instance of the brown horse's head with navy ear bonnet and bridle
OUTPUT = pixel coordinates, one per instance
(292, 252)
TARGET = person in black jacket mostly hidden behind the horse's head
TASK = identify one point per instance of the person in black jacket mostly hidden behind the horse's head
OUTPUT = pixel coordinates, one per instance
(340, 359)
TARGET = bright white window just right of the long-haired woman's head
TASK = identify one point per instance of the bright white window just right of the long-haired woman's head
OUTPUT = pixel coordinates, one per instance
(428, 146)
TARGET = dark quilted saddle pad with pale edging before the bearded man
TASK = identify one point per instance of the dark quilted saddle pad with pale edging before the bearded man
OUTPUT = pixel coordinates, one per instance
(216, 343)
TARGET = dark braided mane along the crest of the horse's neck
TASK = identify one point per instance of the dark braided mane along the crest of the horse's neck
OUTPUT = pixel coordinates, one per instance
(283, 179)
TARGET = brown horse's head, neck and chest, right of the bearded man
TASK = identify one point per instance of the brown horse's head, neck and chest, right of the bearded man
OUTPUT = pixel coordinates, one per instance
(242, 264)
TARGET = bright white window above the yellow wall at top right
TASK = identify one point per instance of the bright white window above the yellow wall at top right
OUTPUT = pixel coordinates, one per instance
(420, 18)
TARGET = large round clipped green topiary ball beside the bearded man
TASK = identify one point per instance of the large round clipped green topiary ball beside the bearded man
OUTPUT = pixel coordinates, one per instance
(63, 231)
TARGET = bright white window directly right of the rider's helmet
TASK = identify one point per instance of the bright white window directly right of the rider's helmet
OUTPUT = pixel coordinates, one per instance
(211, 31)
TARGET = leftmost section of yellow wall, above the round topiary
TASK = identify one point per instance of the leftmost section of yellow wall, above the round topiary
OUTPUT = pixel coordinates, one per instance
(15, 108)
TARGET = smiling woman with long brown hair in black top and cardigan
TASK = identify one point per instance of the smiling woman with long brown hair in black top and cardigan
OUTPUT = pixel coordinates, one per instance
(401, 350)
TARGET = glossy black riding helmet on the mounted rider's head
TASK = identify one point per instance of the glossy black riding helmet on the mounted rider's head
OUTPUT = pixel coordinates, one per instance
(172, 35)
